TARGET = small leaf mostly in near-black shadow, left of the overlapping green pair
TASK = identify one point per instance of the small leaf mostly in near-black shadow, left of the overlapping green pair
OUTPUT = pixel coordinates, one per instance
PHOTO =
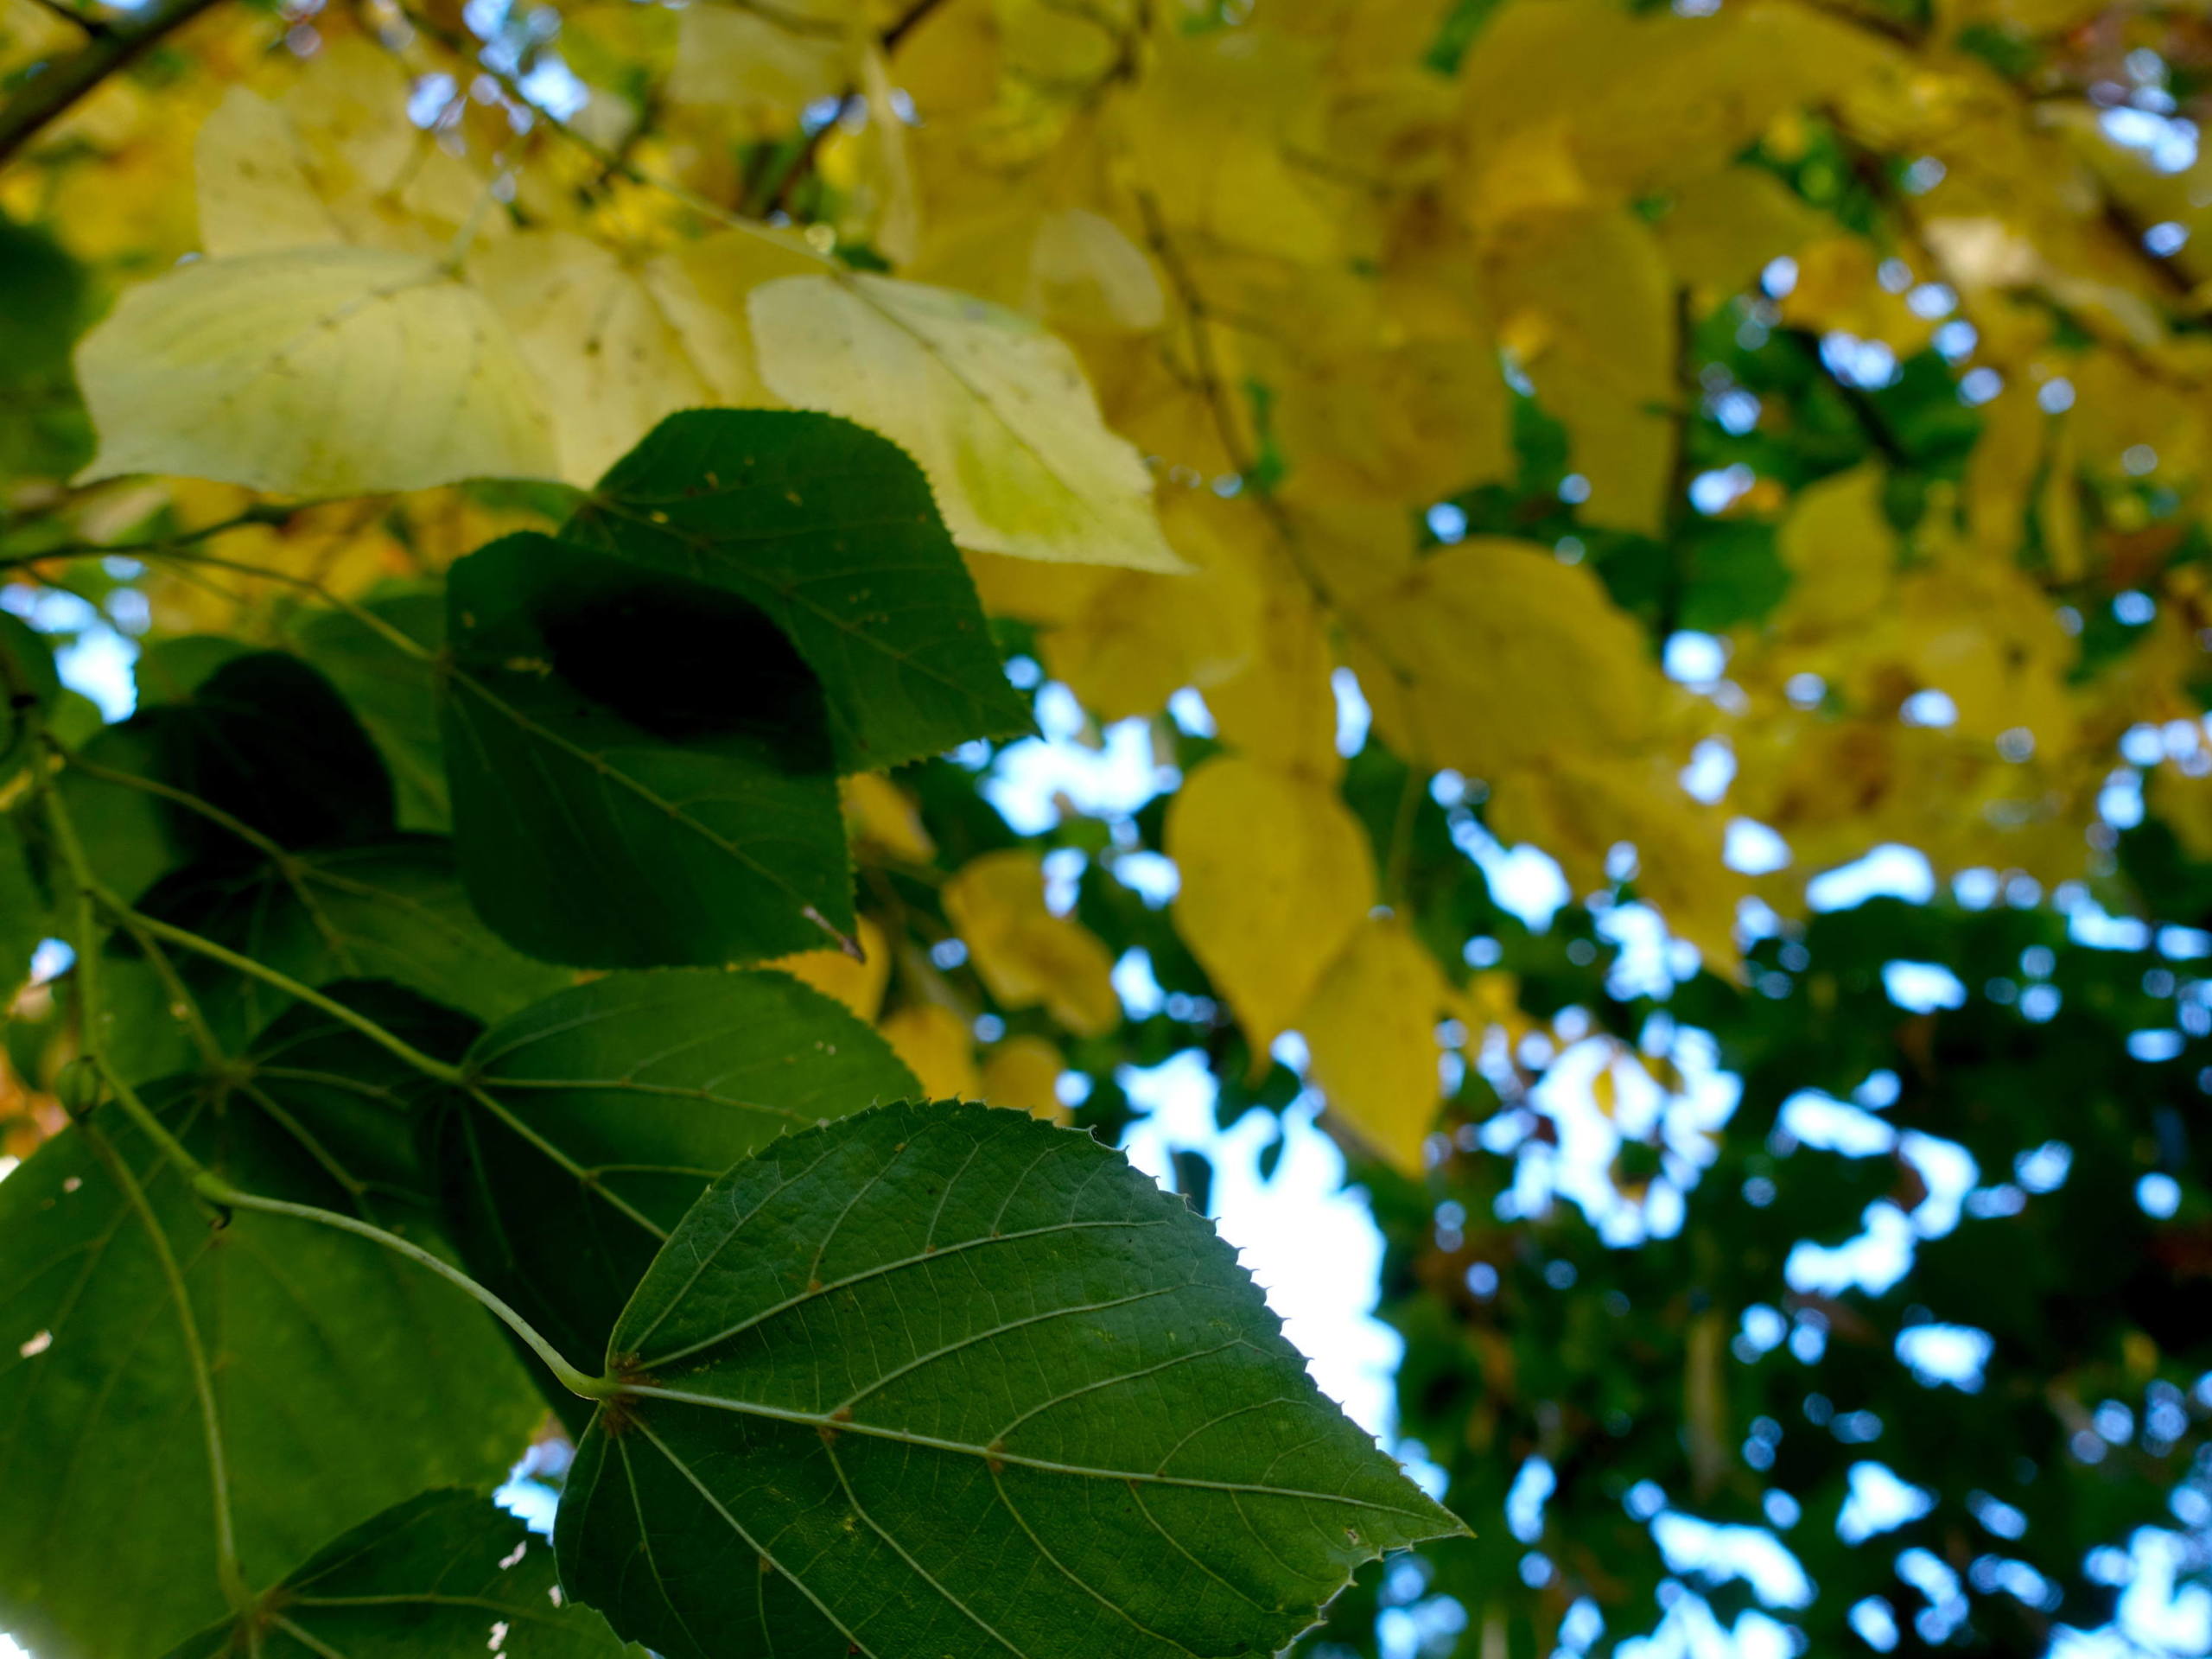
(264, 740)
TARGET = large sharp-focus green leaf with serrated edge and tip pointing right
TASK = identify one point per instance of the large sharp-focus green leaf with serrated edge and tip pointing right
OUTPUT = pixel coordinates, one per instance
(950, 1381)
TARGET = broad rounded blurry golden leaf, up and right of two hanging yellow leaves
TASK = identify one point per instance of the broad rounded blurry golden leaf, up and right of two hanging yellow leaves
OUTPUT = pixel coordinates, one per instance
(1494, 654)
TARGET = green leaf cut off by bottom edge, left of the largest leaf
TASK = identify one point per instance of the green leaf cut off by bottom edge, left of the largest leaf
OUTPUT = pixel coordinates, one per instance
(441, 1574)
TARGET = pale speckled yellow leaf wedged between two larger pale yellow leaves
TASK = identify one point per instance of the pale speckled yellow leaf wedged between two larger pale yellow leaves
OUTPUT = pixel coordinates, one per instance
(609, 359)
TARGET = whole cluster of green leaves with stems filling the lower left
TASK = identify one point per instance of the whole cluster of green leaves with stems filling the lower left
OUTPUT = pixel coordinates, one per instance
(859, 1377)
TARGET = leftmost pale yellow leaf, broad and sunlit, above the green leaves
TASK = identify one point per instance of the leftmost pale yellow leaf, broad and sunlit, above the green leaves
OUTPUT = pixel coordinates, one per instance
(313, 373)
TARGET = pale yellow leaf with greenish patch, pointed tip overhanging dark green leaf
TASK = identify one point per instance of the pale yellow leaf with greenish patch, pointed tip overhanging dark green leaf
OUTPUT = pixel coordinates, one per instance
(992, 408)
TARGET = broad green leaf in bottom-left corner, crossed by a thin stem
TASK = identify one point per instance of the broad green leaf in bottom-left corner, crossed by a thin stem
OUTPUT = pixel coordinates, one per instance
(344, 1379)
